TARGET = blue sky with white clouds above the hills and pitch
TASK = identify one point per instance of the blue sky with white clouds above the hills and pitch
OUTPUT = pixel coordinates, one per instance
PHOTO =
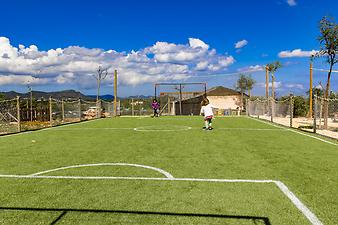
(56, 45)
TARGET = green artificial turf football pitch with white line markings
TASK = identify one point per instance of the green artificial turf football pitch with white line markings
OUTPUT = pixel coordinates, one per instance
(168, 170)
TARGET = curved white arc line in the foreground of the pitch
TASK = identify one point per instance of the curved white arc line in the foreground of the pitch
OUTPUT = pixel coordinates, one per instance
(165, 173)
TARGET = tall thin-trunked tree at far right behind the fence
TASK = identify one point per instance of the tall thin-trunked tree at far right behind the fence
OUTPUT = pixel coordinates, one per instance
(329, 48)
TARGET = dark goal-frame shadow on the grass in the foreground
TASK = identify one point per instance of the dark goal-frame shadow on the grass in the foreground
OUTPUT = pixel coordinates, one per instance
(64, 211)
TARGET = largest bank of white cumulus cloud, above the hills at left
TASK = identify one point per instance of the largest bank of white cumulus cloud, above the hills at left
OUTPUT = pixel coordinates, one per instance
(75, 65)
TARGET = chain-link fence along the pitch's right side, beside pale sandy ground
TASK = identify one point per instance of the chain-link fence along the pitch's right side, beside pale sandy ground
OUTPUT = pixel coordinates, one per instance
(288, 113)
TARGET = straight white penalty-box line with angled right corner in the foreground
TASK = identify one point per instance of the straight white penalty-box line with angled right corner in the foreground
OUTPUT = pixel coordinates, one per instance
(291, 196)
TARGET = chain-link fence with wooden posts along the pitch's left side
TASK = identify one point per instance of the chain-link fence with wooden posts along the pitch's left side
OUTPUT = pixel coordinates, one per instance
(30, 114)
